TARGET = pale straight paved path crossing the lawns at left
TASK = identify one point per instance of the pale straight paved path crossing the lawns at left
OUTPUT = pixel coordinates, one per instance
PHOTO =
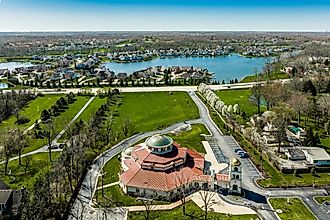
(44, 149)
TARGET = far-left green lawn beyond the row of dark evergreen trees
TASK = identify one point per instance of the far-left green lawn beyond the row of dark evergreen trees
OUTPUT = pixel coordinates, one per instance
(32, 110)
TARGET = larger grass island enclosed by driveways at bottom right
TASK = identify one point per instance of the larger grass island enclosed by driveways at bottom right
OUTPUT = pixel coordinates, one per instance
(294, 210)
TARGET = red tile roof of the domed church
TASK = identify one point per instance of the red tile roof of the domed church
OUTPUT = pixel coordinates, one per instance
(167, 180)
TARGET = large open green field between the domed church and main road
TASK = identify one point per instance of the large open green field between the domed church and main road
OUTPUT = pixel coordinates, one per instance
(156, 110)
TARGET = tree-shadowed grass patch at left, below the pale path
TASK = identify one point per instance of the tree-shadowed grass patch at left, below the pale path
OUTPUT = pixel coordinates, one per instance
(18, 178)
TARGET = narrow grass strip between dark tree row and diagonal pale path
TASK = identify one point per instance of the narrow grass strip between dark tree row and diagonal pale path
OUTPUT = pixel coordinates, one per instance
(60, 122)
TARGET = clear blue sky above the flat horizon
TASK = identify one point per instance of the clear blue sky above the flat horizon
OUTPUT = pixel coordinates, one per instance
(164, 15)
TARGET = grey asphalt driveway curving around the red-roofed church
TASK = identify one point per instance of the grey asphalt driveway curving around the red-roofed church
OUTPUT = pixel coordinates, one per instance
(82, 208)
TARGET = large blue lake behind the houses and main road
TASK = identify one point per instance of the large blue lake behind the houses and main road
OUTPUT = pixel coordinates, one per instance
(224, 67)
